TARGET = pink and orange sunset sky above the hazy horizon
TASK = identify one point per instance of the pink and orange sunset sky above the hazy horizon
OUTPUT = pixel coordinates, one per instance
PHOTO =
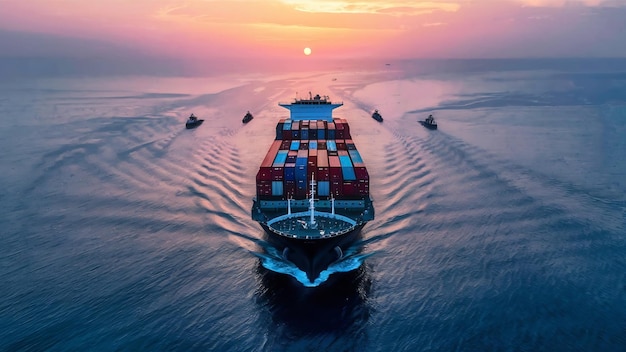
(266, 29)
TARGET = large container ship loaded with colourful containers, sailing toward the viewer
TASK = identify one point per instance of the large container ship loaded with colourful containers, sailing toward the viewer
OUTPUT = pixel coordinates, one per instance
(312, 188)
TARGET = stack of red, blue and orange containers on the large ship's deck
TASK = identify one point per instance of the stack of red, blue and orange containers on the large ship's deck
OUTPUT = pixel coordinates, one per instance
(312, 148)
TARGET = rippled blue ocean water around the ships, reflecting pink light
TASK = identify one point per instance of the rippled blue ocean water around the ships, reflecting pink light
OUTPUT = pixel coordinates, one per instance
(504, 230)
